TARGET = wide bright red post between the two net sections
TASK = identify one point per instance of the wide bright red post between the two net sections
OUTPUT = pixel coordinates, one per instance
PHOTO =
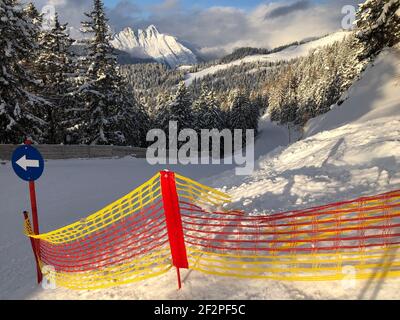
(174, 222)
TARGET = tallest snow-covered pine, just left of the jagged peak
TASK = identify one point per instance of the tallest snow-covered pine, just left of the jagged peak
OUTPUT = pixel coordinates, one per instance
(100, 91)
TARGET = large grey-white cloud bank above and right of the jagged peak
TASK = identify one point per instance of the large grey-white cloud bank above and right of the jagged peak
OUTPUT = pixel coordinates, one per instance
(219, 30)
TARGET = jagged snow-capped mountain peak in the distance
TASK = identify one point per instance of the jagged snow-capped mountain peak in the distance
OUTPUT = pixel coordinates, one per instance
(150, 43)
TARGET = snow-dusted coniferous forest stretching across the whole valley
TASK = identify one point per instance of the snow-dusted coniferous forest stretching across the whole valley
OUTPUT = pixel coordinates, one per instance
(52, 94)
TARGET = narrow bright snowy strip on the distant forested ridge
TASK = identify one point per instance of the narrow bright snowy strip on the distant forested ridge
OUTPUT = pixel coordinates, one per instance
(289, 53)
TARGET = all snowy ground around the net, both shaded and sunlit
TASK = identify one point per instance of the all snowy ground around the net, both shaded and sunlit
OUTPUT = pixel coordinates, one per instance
(353, 150)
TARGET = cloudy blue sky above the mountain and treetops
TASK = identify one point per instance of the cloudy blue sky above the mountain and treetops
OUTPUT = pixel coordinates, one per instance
(216, 27)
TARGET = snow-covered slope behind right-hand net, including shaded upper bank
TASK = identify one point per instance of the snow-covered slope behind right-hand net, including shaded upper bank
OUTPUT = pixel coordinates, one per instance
(352, 150)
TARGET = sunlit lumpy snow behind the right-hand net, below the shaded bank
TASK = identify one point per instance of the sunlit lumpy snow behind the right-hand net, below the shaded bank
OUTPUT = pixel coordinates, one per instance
(331, 166)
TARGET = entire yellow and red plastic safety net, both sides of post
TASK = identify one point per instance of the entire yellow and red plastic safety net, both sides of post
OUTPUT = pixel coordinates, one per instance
(129, 239)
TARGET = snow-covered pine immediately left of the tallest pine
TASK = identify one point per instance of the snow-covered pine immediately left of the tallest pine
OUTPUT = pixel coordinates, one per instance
(56, 65)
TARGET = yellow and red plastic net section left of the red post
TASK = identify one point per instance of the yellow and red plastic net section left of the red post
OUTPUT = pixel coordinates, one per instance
(124, 242)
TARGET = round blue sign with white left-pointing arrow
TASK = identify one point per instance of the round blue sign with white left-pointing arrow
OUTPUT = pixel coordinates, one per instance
(28, 163)
